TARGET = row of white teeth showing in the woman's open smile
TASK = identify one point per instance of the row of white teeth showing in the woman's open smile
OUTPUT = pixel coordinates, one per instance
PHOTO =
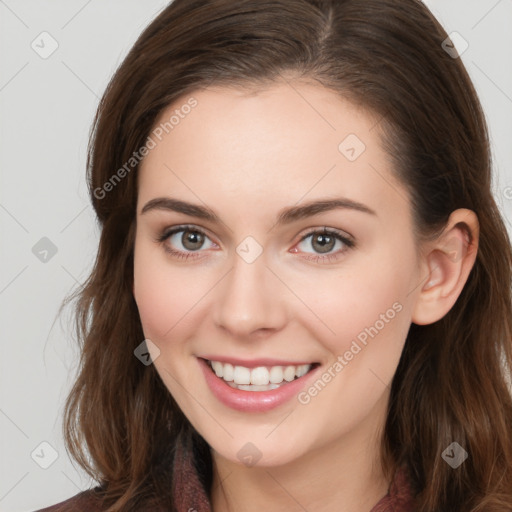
(260, 378)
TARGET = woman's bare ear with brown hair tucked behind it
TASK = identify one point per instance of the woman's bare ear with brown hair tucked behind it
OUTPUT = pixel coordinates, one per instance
(447, 262)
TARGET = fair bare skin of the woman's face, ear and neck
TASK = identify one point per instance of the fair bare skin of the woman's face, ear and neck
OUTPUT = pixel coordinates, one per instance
(247, 154)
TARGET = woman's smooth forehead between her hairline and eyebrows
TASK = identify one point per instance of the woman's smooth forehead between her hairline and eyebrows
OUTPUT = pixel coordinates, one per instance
(282, 143)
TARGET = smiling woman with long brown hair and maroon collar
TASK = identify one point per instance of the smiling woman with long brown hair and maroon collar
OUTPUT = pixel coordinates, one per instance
(301, 299)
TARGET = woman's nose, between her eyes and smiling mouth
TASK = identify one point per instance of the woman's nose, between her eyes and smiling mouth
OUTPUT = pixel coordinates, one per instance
(250, 300)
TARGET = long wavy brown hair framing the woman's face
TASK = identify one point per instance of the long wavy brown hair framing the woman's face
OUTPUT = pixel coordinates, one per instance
(121, 424)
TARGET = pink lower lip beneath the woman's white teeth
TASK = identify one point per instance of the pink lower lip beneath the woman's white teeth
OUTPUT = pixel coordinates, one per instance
(253, 401)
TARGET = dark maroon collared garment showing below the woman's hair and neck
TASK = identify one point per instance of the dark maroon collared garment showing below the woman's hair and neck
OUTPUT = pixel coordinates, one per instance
(190, 494)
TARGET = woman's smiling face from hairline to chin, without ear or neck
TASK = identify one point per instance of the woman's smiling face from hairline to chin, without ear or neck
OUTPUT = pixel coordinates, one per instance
(261, 289)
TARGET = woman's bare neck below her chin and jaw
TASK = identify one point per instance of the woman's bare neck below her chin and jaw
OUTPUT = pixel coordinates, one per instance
(341, 476)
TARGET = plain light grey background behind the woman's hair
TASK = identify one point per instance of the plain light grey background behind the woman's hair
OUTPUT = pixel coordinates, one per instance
(47, 106)
